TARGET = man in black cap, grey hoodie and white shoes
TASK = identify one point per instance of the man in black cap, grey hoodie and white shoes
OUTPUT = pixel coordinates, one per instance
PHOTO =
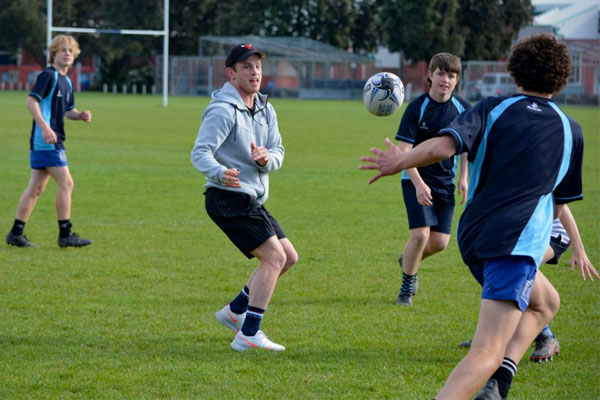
(237, 146)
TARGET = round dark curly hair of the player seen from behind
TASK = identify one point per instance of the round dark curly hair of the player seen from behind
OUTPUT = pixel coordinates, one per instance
(540, 63)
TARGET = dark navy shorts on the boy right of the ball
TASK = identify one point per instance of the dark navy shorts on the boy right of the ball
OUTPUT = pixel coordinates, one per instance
(437, 216)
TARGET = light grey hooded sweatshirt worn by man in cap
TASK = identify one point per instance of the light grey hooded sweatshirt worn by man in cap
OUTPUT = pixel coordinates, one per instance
(224, 139)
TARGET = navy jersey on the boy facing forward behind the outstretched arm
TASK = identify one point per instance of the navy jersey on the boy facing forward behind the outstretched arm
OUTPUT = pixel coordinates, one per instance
(422, 119)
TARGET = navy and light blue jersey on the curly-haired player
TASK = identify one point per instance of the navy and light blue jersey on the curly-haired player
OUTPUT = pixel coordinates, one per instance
(525, 154)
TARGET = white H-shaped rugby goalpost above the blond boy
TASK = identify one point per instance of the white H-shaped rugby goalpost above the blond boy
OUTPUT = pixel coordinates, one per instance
(164, 33)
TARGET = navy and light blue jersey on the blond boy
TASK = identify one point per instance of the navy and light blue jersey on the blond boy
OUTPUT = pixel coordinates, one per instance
(55, 94)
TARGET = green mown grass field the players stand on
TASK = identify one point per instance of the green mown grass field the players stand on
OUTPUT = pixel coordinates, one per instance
(132, 316)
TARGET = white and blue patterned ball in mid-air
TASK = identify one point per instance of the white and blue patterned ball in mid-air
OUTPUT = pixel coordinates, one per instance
(383, 94)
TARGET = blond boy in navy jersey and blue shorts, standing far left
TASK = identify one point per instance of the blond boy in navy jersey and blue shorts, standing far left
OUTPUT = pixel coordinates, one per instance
(50, 100)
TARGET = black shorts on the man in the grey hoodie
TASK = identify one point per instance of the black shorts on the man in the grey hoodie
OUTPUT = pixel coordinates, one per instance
(245, 222)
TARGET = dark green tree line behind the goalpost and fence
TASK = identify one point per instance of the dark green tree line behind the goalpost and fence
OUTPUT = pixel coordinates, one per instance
(471, 29)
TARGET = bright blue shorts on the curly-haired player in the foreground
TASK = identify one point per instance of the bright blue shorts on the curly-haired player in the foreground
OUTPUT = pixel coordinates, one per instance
(506, 278)
